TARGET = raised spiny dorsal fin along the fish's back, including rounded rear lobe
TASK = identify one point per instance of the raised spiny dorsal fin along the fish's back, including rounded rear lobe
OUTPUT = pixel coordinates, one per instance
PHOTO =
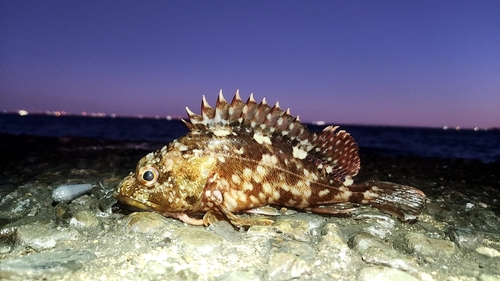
(334, 152)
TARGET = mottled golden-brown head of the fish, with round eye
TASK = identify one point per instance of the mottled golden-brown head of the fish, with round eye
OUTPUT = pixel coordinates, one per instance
(166, 181)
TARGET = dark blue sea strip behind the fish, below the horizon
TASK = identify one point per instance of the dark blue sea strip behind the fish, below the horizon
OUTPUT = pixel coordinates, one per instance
(483, 145)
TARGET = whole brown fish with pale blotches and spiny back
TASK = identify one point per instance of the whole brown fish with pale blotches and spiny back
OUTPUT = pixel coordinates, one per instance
(243, 156)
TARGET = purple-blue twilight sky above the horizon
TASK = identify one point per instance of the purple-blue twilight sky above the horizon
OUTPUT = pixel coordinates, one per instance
(413, 63)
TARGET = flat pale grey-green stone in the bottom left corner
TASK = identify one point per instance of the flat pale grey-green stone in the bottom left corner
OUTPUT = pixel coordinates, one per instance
(47, 265)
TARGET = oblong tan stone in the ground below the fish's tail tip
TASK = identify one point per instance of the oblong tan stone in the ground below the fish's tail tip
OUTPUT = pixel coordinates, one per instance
(428, 247)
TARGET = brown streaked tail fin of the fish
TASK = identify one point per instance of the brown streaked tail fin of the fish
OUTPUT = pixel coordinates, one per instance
(404, 202)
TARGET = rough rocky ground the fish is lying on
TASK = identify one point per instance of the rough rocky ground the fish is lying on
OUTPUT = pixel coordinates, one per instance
(89, 238)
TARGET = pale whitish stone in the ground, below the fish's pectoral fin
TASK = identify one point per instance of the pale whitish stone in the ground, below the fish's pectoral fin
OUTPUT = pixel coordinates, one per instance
(197, 241)
